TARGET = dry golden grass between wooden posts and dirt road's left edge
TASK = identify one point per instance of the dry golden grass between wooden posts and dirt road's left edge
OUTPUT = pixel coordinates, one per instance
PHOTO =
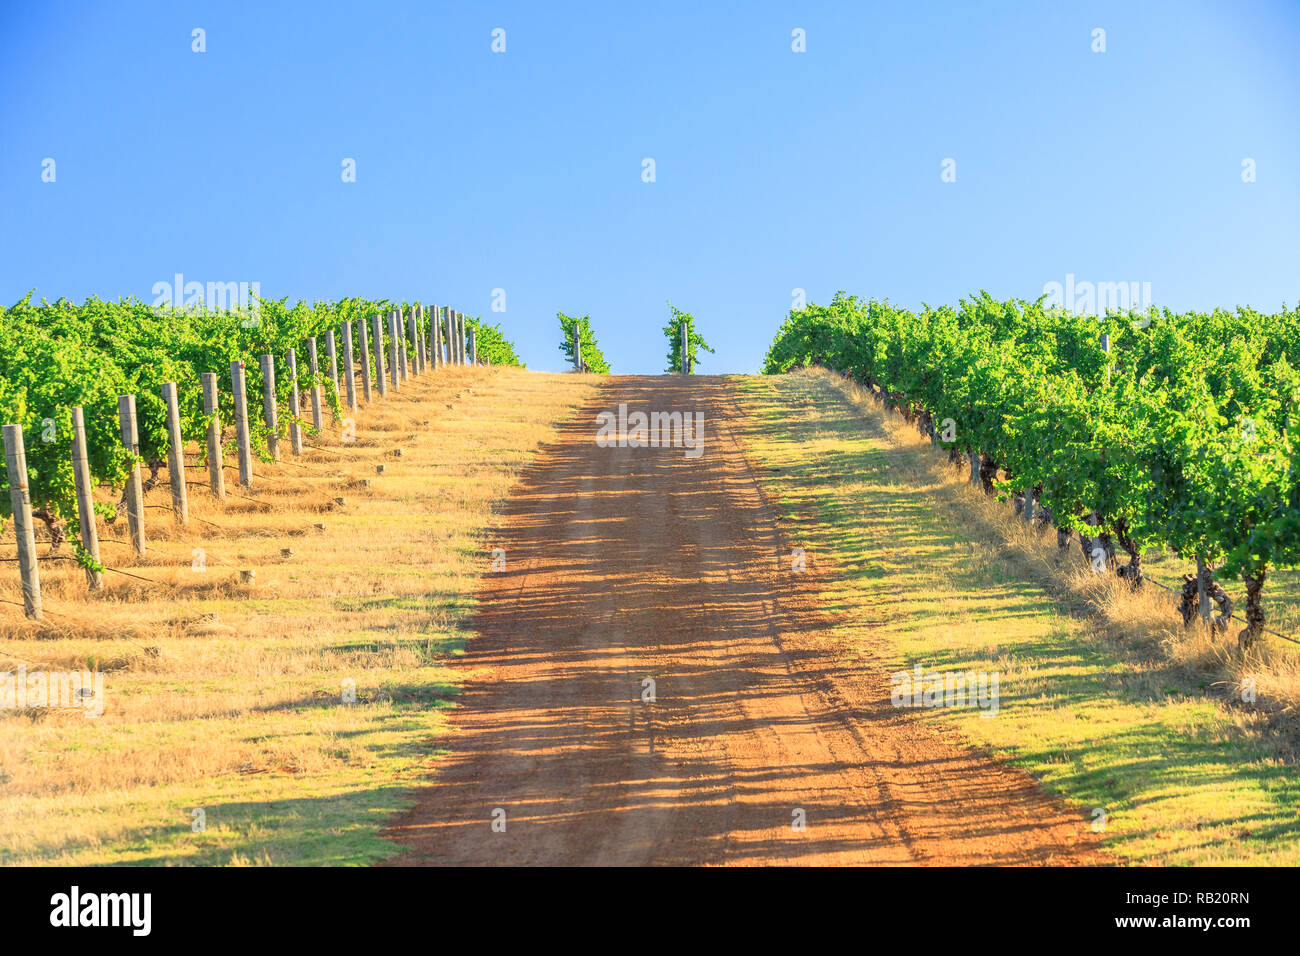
(224, 702)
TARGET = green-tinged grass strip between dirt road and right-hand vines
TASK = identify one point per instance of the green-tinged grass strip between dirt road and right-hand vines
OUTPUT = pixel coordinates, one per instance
(1099, 699)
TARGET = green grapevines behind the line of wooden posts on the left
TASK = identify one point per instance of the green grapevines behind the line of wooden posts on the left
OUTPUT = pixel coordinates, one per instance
(59, 357)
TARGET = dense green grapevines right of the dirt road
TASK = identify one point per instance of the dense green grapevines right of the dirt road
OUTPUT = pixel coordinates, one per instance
(1146, 430)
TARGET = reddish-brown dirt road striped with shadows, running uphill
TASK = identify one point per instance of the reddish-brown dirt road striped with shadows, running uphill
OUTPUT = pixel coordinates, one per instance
(626, 565)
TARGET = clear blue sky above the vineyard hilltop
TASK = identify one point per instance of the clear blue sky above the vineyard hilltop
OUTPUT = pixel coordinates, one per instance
(774, 171)
